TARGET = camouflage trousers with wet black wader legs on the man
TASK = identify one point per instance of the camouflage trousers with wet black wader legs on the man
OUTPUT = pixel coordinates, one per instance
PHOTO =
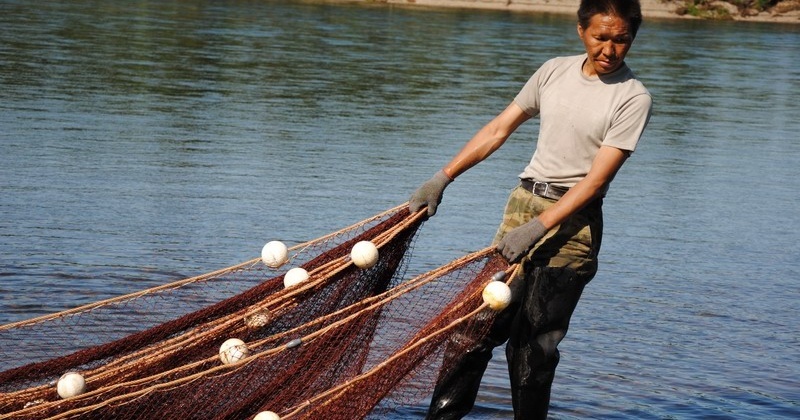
(543, 299)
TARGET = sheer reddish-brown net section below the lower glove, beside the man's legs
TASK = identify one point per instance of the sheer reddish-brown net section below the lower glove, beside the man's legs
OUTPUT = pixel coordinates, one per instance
(435, 316)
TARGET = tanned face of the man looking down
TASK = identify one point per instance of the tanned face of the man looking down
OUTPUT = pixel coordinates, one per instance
(607, 40)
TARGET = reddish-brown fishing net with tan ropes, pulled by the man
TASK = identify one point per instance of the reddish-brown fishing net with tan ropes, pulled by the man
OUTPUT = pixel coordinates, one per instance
(348, 343)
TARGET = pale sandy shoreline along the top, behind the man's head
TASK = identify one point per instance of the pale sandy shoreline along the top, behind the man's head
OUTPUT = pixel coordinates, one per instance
(657, 9)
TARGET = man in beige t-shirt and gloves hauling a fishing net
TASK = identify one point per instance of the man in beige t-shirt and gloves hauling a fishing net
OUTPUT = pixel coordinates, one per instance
(592, 114)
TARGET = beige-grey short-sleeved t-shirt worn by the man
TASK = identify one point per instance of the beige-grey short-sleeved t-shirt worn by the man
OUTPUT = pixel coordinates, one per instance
(578, 114)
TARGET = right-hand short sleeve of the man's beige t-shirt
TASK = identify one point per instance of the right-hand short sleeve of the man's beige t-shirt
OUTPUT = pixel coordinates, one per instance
(629, 123)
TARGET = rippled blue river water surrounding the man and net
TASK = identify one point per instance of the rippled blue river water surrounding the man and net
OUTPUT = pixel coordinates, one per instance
(145, 142)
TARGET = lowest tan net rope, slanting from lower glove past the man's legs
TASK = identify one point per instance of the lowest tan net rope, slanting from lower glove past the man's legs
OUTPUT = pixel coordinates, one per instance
(329, 396)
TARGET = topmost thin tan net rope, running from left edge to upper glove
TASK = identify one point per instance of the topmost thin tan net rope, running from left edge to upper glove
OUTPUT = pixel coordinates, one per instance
(177, 284)
